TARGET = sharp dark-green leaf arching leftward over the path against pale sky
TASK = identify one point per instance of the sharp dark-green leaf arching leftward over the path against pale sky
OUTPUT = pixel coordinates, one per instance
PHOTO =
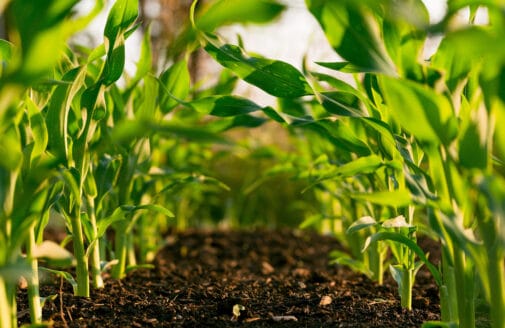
(277, 78)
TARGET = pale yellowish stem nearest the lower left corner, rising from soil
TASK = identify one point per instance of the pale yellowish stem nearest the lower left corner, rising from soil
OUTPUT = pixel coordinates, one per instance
(33, 284)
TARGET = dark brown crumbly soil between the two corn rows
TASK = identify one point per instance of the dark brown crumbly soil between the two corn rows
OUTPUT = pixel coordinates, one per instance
(270, 278)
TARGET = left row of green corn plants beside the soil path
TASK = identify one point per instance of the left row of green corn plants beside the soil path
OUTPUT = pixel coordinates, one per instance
(106, 152)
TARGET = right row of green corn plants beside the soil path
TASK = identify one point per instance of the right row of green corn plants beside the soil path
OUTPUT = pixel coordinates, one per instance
(413, 144)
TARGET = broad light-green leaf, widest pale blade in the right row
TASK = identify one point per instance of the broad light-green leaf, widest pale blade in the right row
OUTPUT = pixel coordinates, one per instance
(421, 111)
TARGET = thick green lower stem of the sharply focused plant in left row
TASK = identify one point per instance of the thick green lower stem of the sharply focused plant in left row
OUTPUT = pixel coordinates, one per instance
(80, 253)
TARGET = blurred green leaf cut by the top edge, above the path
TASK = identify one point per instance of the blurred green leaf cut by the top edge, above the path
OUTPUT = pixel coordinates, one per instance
(224, 12)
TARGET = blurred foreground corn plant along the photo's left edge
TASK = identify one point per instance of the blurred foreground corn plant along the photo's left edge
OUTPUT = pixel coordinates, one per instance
(27, 170)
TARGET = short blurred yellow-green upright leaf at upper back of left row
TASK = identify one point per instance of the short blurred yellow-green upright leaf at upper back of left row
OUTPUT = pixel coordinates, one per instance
(175, 84)
